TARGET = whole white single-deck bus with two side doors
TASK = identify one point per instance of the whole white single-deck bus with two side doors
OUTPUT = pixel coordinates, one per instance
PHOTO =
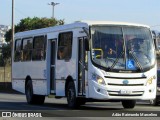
(86, 61)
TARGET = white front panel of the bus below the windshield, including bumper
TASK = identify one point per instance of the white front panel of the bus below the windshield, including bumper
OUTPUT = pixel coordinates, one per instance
(112, 91)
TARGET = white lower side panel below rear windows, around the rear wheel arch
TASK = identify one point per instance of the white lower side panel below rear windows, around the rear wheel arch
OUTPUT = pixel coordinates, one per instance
(35, 70)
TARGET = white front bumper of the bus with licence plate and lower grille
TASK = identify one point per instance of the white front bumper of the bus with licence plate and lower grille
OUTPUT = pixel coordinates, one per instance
(122, 92)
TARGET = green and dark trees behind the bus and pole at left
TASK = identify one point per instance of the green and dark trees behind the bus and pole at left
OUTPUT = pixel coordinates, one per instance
(24, 25)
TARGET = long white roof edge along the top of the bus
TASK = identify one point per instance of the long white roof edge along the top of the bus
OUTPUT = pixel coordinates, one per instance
(78, 24)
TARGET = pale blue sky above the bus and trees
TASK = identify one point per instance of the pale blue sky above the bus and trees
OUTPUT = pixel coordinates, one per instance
(137, 11)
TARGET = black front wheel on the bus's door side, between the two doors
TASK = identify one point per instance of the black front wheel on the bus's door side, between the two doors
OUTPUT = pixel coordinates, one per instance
(71, 96)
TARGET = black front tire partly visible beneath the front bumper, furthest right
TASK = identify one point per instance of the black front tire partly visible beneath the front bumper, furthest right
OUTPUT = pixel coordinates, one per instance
(128, 104)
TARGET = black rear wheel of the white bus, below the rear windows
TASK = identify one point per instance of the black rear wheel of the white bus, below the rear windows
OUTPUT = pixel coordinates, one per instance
(31, 98)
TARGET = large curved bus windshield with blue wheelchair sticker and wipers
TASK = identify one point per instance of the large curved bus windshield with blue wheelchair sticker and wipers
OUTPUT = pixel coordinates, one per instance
(122, 47)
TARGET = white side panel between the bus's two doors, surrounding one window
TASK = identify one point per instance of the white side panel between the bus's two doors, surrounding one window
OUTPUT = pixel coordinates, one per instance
(69, 66)
